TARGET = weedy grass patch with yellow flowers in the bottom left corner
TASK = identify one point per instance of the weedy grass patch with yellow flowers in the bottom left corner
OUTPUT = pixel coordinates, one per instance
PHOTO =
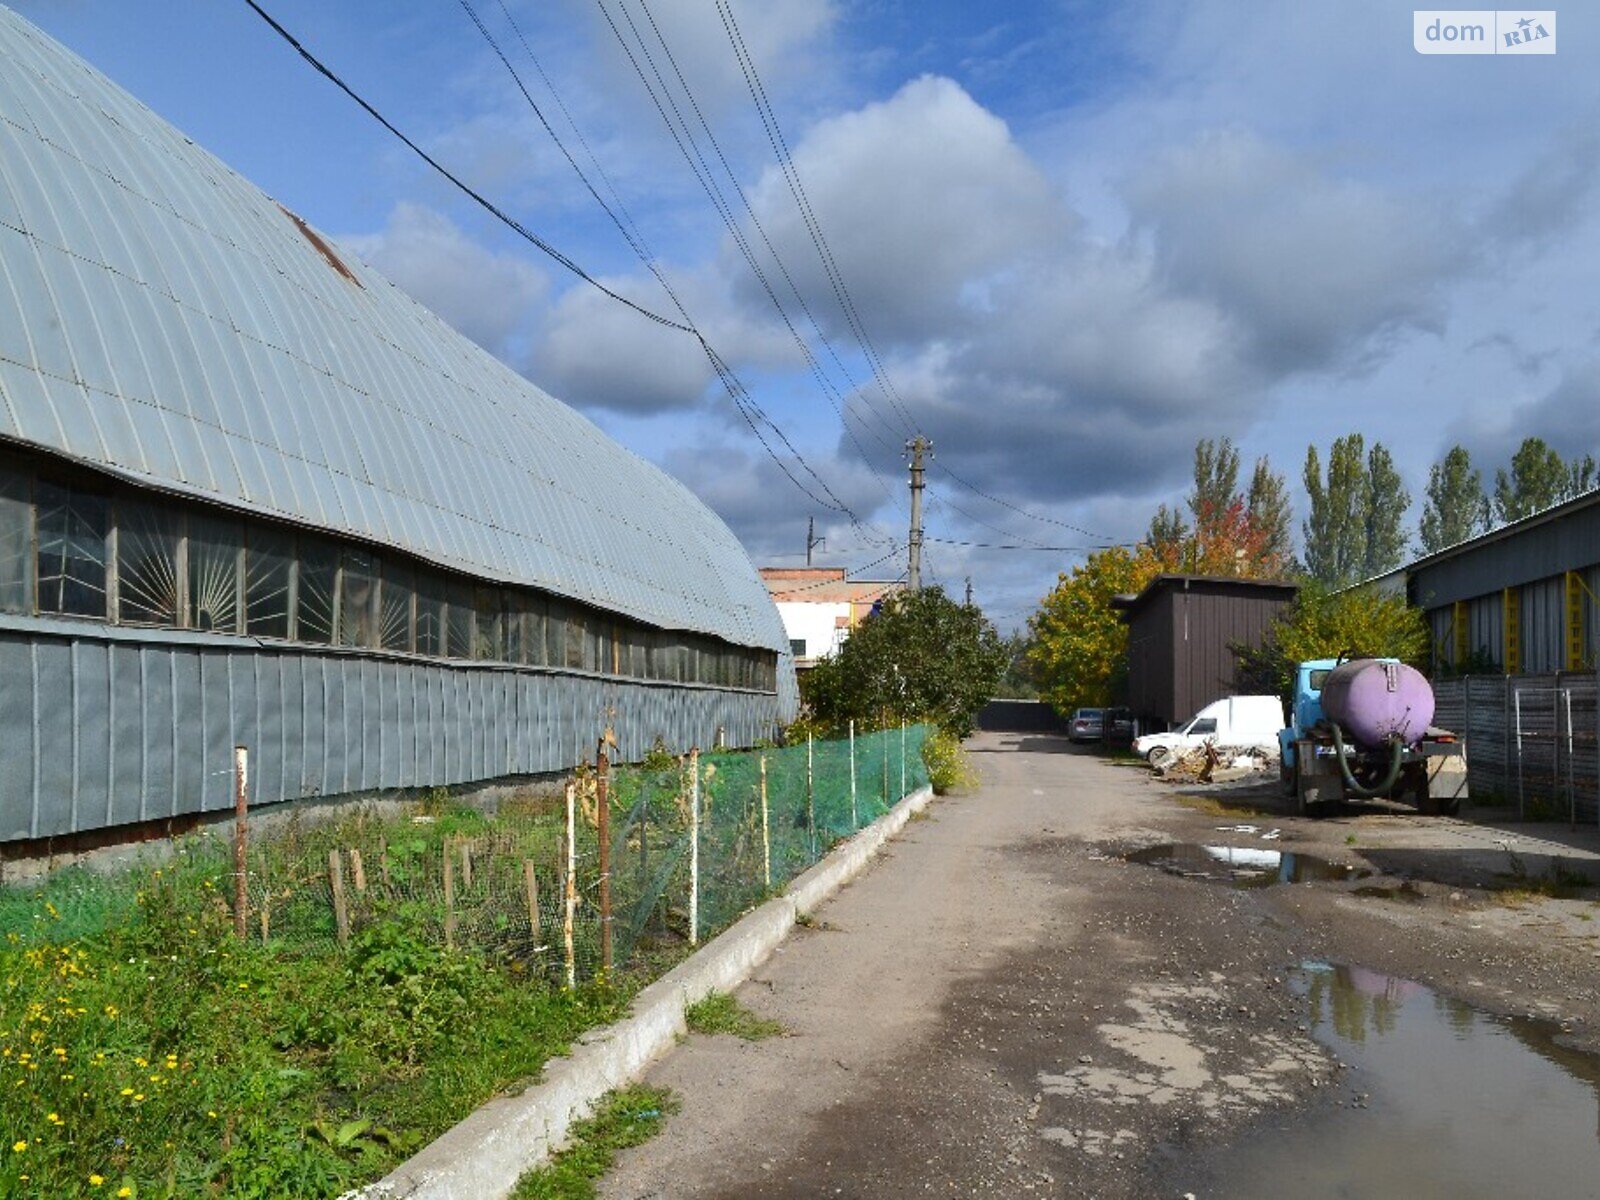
(143, 1047)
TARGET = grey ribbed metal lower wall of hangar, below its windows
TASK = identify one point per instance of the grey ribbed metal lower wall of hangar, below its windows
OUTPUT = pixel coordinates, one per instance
(98, 732)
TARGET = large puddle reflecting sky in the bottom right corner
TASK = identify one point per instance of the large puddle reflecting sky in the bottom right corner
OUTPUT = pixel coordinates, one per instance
(1457, 1103)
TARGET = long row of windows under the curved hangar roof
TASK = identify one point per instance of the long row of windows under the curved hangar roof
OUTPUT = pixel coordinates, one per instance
(156, 562)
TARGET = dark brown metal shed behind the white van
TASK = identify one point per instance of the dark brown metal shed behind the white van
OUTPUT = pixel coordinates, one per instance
(1182, 631)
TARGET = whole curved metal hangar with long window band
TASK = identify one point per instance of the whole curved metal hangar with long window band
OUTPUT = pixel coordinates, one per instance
(254, 495)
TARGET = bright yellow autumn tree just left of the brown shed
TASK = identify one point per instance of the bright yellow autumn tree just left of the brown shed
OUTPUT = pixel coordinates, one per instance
(1081, 646)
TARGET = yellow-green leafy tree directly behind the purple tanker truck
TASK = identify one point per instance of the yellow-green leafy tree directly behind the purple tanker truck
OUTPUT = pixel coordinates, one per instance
(1354, 623)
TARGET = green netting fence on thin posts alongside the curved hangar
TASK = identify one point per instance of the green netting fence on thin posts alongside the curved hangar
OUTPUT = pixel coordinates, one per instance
(510, 882)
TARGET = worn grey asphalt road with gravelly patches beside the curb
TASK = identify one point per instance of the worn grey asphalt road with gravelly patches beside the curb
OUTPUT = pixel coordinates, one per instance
(1002, 1006)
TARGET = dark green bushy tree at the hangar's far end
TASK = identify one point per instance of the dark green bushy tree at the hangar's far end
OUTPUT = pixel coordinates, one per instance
(922, 657)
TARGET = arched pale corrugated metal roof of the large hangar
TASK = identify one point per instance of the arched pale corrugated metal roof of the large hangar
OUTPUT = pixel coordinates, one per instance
(164, 319)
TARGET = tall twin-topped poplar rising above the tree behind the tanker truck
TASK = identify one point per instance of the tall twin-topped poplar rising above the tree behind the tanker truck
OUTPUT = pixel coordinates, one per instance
(1354, 529)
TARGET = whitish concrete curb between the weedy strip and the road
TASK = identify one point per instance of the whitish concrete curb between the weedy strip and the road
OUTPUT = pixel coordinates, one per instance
(484, 1156)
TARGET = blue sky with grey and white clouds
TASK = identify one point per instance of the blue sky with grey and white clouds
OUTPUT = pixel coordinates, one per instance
(1079, 236)
